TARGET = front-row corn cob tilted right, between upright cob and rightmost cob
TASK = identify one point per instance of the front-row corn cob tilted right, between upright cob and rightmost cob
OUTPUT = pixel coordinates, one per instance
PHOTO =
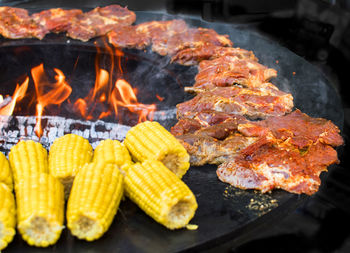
(94, 200)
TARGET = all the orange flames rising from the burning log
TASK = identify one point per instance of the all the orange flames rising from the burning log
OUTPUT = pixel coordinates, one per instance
(110, 95)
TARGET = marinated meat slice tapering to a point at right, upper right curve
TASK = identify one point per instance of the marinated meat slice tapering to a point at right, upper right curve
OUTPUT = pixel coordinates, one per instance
(229, 70)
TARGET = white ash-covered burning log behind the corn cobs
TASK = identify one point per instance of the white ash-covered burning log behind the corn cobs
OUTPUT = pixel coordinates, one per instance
(16, 128)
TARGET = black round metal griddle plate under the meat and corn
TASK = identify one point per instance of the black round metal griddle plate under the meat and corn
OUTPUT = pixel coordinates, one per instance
(224, 213)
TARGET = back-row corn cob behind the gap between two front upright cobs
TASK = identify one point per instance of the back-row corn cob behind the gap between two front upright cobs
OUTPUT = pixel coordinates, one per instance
(67, 155)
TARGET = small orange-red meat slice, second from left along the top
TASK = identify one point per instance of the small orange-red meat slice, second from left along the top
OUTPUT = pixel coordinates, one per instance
(56, 20)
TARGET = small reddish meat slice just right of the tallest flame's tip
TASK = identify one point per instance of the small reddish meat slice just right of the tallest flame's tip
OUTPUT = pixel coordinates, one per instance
(128, 37)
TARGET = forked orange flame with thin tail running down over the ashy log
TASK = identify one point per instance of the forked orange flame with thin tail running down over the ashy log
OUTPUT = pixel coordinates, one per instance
(57, 92)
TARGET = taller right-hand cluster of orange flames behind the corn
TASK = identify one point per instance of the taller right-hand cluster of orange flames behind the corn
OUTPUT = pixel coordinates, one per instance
(112, 96)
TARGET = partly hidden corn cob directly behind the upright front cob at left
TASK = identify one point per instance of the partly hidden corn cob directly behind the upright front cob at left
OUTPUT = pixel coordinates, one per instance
(26, 158)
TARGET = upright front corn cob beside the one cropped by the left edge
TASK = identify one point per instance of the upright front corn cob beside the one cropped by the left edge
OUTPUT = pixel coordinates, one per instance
(40, 209)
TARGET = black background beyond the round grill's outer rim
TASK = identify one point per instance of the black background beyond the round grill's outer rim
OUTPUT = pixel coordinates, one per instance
(317, 30)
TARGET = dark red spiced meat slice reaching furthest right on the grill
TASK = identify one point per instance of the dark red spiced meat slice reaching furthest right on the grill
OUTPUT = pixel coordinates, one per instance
(296, 128)
